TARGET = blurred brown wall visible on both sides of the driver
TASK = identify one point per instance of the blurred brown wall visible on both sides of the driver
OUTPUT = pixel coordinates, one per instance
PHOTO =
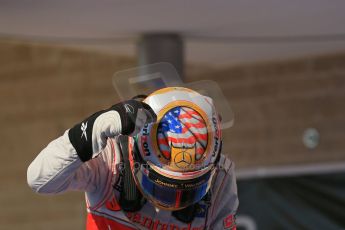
(44, 90)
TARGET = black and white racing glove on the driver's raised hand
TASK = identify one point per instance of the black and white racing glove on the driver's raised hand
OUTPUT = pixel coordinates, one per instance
(127, 118)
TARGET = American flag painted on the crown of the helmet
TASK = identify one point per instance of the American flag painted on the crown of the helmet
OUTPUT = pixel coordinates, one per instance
(182, 127)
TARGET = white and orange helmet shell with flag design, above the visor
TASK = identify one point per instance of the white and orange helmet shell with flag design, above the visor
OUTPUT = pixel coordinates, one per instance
(186, 122)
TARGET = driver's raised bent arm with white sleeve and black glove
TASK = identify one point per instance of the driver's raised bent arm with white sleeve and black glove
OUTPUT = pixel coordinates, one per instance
(66, 163)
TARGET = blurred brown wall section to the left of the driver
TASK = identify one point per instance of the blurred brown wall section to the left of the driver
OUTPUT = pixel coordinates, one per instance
(44, 91)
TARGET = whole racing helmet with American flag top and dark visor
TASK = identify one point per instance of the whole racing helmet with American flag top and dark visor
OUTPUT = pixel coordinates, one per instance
(175, 158)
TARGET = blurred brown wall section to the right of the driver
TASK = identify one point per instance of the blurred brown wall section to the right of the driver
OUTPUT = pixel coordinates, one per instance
(274, 103)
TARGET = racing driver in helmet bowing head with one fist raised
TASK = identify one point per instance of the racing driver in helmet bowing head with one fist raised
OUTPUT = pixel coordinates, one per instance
(151, 162)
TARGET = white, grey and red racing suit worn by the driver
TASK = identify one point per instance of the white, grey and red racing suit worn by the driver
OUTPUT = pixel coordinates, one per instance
(58, 169)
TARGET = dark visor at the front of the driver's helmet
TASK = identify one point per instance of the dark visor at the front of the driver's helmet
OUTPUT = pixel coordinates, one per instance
(169, 193)
